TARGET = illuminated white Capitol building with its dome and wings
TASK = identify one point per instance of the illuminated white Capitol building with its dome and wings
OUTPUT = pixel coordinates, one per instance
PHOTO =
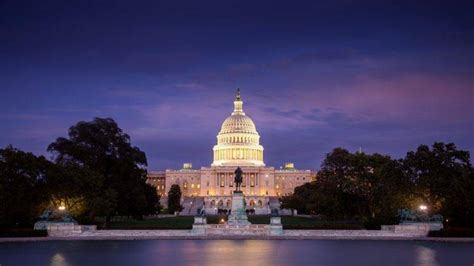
(238, 144)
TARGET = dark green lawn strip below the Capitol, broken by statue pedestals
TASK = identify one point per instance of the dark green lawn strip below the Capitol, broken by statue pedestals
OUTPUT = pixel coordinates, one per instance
(186, 222)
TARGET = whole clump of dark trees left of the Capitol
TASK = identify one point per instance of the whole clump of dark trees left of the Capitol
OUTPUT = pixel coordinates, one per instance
(94, 171)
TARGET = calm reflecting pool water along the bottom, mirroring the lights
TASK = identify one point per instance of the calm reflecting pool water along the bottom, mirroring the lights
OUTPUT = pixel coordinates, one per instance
(236, 252)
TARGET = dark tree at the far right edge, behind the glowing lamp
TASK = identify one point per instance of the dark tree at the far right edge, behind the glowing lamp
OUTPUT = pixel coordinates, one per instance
(443, 179)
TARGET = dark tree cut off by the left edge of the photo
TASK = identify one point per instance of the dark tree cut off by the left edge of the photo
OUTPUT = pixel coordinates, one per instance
(22, 187)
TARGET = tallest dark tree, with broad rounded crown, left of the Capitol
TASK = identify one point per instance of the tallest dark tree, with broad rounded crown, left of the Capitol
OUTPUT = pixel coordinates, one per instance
(115, 167)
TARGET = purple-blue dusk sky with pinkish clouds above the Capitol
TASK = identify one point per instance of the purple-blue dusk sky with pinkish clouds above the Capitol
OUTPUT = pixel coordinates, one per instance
(385, 76)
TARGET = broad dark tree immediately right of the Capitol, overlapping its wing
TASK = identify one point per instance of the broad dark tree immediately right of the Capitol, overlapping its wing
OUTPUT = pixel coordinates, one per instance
(369, 187)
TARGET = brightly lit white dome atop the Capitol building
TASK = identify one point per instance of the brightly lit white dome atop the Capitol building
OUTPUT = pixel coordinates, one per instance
(238, 140)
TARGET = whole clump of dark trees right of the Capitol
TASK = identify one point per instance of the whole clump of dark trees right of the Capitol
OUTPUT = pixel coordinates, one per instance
(374, 187)
